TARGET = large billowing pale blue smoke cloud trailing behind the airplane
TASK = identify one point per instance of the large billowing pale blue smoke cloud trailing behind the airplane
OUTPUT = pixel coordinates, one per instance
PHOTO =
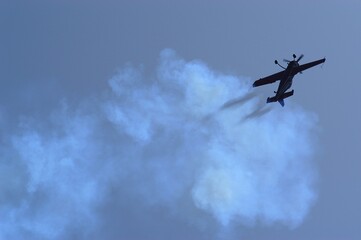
(179, 154)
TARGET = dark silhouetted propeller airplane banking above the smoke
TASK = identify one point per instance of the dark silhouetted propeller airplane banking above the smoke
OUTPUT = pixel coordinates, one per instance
(286, 77)
